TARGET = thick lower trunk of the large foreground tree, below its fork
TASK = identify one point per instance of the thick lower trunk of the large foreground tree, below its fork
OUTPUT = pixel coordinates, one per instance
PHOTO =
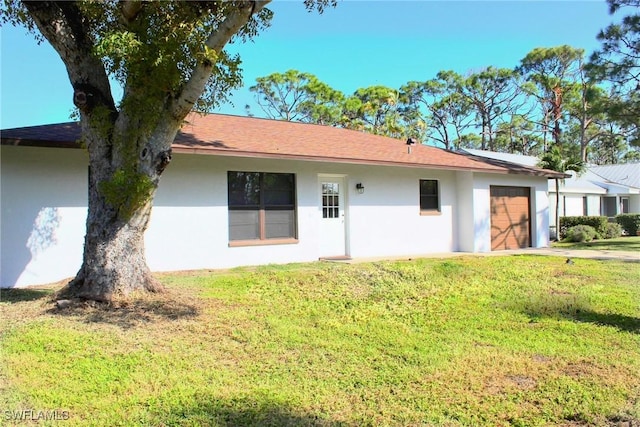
(114, 262)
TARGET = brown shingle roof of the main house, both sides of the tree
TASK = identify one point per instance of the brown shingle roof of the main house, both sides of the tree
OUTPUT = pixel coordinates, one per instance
(218, 134)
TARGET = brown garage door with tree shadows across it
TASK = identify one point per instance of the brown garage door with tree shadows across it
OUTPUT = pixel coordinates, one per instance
(510, 218)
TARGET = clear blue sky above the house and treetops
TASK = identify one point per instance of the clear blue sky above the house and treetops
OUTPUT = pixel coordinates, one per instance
(357, 44)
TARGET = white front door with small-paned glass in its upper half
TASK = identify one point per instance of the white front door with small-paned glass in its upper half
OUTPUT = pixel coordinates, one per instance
(332, 211)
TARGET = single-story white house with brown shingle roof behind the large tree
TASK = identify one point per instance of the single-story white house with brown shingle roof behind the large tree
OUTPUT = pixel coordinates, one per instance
(247, 191)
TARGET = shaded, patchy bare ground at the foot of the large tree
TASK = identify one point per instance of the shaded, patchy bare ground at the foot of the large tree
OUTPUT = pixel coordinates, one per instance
(128, 314)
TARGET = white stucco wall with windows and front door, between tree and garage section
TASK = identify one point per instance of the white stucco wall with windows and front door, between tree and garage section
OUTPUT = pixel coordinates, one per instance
(384, 220)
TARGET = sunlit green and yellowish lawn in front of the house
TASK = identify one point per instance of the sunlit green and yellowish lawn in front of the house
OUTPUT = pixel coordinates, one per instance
(520, 340)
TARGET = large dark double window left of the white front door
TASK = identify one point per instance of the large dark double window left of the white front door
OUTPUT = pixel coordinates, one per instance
(263, 206)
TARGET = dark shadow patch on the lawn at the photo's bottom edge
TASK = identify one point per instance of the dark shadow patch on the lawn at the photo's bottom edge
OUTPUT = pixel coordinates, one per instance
(244, 412)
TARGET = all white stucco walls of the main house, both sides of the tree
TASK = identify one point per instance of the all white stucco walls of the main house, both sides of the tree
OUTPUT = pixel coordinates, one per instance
(43, 204)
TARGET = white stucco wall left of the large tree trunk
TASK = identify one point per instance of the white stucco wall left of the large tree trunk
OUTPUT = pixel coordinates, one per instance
(43, 213)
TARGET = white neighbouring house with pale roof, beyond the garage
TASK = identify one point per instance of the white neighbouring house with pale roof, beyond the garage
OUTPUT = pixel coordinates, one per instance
(600, 190)
